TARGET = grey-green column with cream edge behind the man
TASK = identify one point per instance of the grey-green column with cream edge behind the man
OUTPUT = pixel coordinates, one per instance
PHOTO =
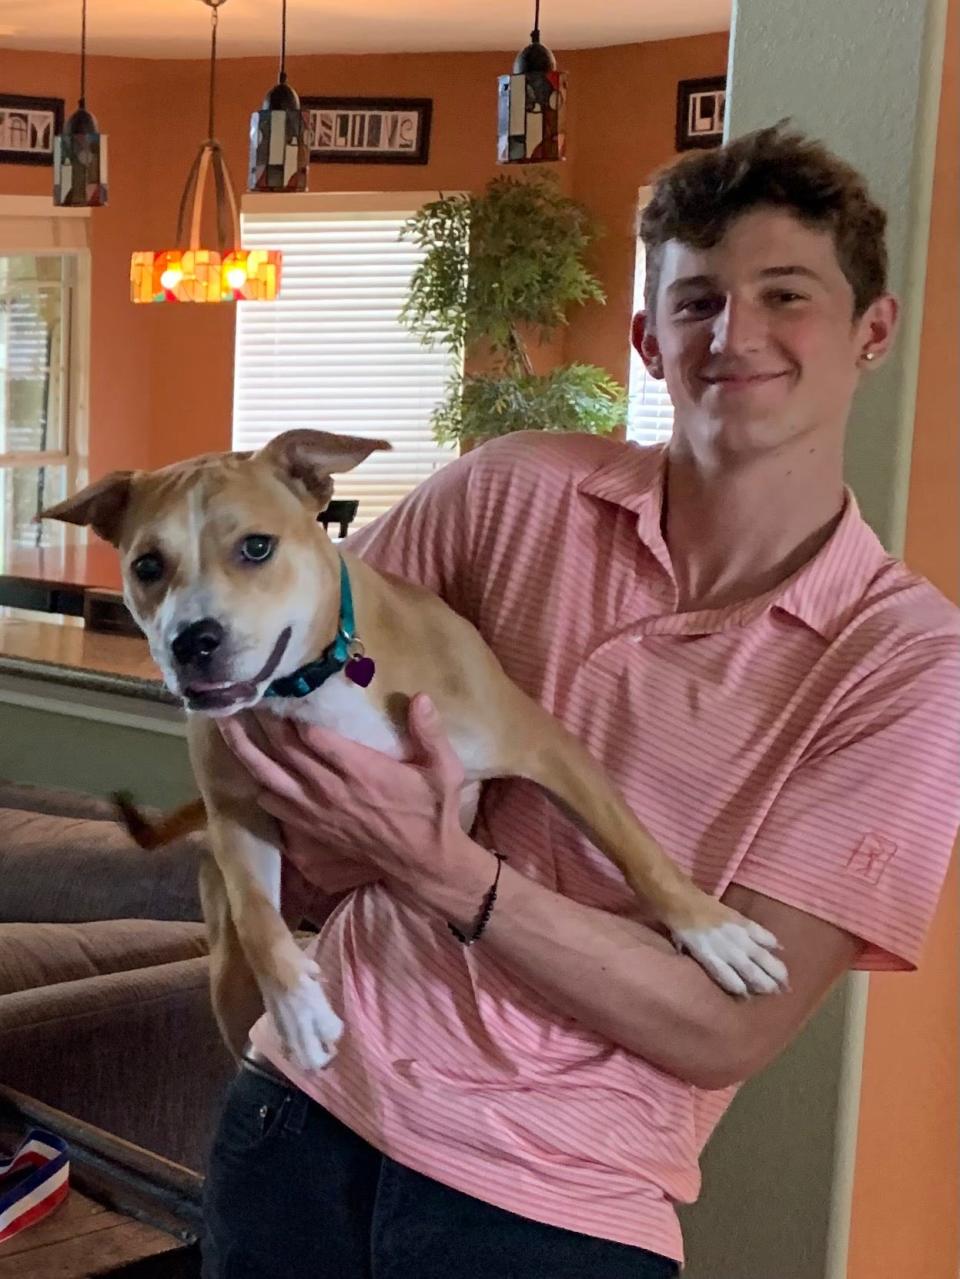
(863, 76)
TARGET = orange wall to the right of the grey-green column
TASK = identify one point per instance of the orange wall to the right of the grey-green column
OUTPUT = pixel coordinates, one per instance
(907, 1191)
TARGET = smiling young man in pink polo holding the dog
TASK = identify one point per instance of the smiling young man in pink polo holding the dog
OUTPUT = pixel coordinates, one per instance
(778, 699)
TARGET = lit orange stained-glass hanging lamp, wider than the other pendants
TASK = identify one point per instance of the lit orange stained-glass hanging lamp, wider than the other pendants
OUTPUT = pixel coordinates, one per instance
(195, 273)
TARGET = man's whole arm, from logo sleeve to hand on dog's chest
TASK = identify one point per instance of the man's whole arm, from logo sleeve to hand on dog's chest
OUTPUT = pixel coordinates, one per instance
(890, 767)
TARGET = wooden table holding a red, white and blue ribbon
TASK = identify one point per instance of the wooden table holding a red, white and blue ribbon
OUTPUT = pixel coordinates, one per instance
(130, 1213)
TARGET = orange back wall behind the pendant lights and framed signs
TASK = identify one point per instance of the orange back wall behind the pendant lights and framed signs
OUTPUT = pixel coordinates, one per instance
(162, 379)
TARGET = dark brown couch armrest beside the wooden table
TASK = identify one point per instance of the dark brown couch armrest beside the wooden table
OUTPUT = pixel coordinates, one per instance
(135, 1053)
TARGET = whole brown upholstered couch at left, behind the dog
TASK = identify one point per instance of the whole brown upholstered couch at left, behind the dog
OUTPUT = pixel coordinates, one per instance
(104, 1001)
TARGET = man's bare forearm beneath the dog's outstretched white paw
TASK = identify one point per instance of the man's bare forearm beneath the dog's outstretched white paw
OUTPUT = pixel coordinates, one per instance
(627, 983)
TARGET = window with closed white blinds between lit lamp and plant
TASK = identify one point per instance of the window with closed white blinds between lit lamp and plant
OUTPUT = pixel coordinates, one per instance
(330, 354)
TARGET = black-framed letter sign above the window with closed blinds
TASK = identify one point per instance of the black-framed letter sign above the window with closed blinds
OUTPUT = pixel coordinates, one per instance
(352, 120)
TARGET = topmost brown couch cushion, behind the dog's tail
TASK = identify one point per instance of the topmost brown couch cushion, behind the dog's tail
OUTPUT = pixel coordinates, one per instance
(71, 869)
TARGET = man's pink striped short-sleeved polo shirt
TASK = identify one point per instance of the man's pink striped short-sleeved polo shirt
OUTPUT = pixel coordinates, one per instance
(803, 745)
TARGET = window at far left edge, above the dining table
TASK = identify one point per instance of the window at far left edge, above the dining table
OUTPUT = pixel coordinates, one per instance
(43, 283)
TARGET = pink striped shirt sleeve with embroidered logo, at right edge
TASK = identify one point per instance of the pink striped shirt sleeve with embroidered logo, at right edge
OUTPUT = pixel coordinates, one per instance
(861, 835)
